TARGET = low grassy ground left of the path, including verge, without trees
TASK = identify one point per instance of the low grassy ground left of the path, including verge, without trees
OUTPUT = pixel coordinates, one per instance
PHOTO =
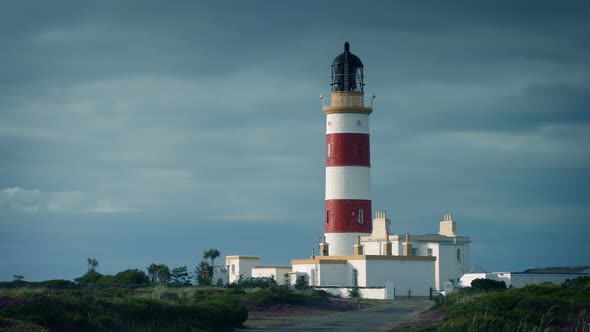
(34, 307)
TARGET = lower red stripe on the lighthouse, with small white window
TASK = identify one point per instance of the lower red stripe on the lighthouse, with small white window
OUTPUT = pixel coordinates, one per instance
(342, 216)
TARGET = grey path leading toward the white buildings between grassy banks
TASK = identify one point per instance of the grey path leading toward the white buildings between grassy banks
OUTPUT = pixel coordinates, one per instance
(380, 318)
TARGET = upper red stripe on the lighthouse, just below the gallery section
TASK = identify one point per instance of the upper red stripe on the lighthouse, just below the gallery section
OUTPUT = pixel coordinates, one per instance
(348, 150)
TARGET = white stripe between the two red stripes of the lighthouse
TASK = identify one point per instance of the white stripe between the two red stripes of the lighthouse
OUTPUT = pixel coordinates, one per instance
(348, 182)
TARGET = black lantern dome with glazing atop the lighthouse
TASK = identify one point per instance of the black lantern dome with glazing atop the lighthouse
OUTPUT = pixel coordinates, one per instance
(347, 72)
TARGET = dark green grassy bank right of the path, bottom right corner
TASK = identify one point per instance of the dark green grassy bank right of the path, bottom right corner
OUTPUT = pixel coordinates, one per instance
(544, 307)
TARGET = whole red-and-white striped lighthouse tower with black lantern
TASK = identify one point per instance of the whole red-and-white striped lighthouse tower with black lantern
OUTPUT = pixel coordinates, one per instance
(348, 162)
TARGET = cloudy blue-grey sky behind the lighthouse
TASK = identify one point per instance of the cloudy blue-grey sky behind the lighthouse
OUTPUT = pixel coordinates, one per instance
(141, 132)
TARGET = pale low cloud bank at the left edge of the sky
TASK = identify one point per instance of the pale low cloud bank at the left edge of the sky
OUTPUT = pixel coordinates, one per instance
(36, 201)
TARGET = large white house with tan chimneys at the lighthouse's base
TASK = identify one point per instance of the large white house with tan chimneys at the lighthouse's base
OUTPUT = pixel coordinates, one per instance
(413, 264)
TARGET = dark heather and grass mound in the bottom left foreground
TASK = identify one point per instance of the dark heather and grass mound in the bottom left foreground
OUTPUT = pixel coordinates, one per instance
(144, 309)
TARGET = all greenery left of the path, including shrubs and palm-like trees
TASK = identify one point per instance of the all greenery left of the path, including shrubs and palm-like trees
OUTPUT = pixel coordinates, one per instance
(131, 300)
